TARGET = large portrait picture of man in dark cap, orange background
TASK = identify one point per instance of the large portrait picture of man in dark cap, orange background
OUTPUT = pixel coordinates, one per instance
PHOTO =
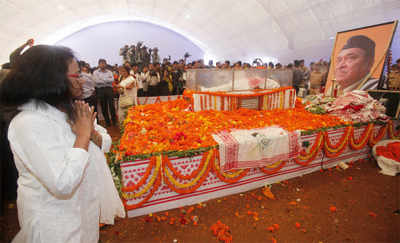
(358, 58)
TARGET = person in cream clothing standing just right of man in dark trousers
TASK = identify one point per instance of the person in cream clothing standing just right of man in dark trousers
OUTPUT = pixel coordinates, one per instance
(127, 86)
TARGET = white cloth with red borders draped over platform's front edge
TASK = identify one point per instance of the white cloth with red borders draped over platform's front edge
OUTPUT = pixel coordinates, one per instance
(239, 149)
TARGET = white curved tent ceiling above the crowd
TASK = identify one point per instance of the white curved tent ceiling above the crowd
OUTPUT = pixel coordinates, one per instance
(222, 28)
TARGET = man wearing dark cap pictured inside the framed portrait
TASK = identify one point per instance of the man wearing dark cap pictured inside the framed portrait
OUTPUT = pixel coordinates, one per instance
(354, 62)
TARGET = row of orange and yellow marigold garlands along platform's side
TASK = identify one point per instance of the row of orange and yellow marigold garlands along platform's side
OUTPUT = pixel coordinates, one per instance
(206, 164)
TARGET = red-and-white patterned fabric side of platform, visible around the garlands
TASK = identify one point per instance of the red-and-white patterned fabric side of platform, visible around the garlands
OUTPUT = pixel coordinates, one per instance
(164, 198)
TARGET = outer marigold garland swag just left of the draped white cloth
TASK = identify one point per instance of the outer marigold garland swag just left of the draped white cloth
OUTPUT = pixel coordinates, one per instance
(190, 187)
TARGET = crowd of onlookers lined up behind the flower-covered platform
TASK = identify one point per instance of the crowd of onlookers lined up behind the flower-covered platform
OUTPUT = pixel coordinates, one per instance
(105, 83)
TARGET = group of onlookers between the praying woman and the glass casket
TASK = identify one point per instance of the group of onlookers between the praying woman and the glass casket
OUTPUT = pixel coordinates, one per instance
(104, 84)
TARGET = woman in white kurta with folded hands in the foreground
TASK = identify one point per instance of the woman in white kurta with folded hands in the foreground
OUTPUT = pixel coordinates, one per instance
(64, 187)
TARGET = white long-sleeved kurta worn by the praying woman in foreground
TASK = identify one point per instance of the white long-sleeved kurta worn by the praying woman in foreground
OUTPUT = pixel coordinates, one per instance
(62, 191)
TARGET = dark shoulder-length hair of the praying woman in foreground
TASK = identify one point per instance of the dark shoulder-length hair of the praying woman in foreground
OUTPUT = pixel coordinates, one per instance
(40, 74)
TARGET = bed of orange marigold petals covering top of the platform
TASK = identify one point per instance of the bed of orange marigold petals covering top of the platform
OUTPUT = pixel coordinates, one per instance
(171, 126)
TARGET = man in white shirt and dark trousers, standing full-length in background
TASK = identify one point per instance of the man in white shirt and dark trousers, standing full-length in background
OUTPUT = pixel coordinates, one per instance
(104, 92)
